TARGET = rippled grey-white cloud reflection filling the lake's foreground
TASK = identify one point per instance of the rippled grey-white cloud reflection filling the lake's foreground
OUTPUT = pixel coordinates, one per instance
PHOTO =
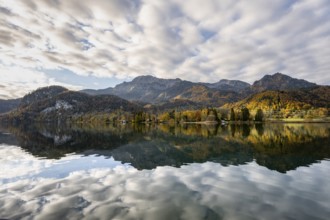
(196, 191)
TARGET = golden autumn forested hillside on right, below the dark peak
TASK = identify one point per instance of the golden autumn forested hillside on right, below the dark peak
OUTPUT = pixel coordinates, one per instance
(311, 102)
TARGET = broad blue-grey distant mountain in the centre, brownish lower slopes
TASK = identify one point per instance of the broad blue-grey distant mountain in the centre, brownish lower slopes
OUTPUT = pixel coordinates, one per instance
(156, 91)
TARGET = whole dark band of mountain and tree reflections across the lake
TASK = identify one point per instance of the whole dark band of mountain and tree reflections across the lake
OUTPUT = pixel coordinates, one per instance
(277, 146)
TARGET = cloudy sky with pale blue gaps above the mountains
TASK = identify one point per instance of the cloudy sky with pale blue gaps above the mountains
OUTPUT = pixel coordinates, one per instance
(100, 43)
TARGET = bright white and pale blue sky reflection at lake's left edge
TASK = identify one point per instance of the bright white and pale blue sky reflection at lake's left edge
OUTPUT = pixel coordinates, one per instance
(26, 165)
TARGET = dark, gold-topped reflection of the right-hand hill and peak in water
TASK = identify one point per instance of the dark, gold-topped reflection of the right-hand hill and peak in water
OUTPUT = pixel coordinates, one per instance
(286, 146)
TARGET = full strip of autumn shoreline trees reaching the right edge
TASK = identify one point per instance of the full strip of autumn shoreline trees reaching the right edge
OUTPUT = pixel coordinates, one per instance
(211, 115)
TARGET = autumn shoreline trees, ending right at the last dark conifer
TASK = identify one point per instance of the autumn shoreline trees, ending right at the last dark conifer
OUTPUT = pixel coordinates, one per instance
(211, 115)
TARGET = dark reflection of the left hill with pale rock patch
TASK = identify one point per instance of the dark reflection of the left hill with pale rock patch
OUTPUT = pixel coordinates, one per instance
(54, 143)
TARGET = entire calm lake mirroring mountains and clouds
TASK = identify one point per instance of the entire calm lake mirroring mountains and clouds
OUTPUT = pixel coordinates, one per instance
(261, 171)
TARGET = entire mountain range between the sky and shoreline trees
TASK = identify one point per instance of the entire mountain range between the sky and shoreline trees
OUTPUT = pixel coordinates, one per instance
(148, 92)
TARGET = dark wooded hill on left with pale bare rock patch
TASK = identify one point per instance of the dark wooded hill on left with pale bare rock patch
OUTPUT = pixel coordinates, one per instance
(56, 103)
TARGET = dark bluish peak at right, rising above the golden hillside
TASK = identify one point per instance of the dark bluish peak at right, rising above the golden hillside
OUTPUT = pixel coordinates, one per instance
(279, 81)
